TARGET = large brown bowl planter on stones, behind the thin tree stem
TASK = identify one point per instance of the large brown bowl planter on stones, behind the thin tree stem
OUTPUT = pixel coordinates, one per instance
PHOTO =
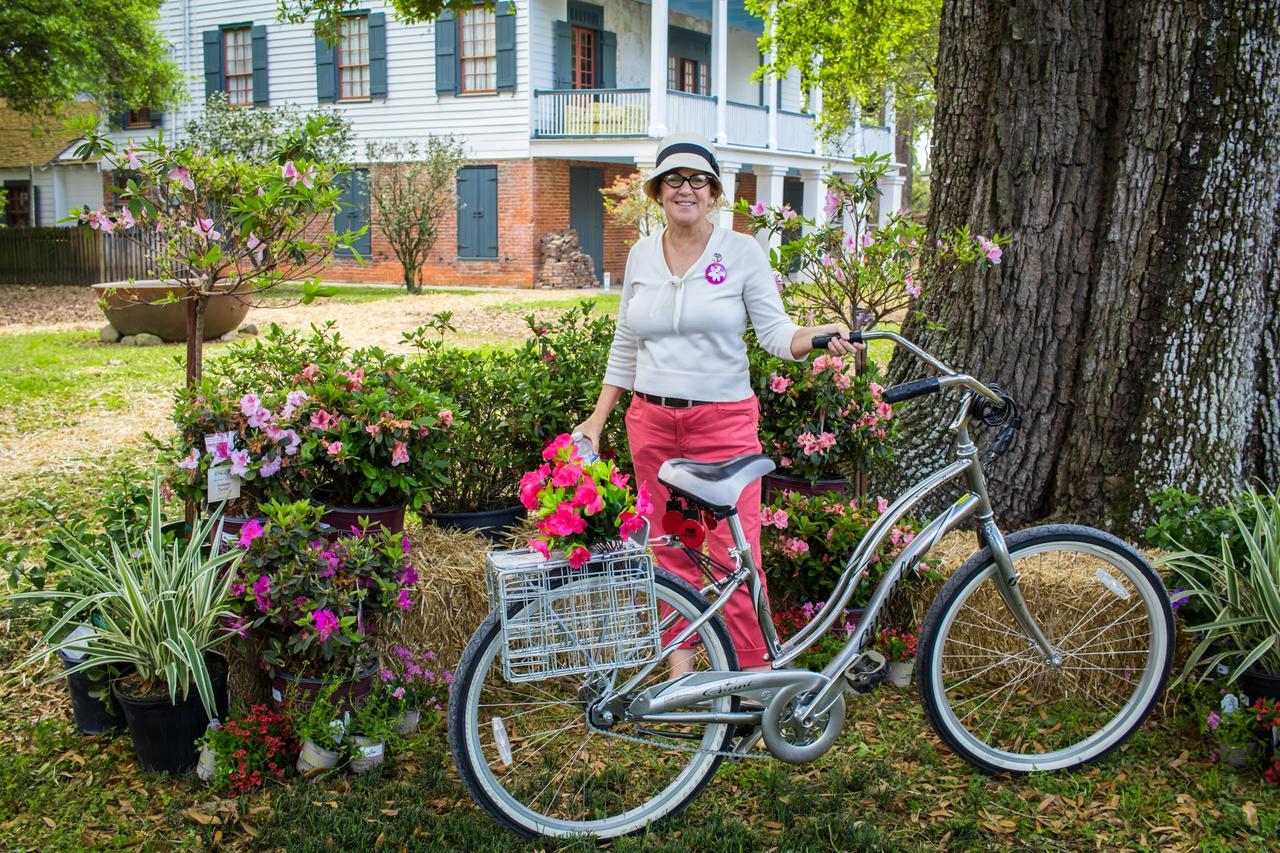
(129, 311)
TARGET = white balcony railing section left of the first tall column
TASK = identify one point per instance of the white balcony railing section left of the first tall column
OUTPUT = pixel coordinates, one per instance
(591, 112)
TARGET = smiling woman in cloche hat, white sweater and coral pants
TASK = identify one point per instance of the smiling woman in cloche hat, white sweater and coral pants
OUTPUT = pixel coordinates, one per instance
(687, 297)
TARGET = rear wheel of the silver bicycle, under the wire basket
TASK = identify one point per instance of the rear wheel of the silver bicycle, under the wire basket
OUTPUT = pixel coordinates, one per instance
(532, 763)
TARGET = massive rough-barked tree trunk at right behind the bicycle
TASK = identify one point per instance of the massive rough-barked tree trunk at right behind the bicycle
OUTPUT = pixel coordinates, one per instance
(1130, 150)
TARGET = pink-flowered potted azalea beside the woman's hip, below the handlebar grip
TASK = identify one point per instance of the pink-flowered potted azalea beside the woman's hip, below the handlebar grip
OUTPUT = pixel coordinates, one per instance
(820, 419)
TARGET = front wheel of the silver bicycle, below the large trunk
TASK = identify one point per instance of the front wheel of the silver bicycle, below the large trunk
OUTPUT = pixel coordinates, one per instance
(993, 696)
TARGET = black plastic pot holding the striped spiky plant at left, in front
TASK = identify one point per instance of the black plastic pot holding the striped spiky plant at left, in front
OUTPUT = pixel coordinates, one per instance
(164, 733)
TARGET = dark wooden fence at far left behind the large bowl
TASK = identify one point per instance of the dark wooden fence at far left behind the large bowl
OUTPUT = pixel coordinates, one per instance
(76, 256)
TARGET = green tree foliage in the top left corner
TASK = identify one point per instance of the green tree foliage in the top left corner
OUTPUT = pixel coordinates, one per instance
(54, 51)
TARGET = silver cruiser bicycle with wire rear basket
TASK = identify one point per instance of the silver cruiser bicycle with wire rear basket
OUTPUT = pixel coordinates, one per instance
(1045, 651)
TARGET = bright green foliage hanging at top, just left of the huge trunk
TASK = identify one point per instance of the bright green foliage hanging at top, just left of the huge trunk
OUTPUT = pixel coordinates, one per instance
(866, 48)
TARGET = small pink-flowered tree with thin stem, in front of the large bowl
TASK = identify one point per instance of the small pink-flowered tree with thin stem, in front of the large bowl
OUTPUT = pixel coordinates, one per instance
(216, 225)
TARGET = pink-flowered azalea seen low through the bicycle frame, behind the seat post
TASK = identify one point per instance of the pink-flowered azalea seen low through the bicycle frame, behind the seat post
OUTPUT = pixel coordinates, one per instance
(808, 540)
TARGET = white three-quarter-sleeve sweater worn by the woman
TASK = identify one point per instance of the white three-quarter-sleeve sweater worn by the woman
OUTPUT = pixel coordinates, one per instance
(683, 336)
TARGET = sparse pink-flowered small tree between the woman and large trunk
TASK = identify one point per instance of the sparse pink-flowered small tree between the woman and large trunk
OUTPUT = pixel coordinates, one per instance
(862, 275)
